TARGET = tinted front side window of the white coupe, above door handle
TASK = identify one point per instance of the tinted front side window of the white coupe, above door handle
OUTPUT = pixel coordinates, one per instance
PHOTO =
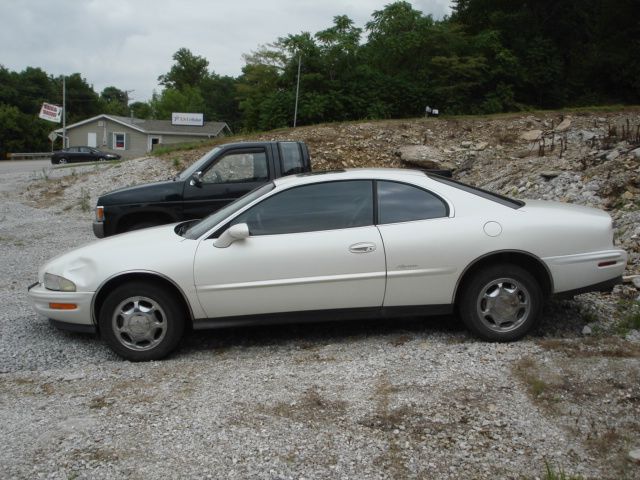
(316, 207)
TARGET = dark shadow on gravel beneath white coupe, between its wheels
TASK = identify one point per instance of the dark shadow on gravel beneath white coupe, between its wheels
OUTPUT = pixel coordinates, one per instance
(308, 334)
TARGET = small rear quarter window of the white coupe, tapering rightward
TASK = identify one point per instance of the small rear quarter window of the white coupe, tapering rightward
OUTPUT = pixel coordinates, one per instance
(399, 202)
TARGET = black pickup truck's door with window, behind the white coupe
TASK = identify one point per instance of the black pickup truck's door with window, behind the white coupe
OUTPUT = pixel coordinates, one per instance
(227, 178)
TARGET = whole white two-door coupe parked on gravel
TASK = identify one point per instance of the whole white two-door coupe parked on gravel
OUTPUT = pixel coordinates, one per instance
(334, 245)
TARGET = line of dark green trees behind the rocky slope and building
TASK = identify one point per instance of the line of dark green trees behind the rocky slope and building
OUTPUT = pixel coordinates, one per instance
(488, 56)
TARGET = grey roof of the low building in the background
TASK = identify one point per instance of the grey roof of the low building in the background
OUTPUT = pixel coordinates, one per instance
(164, 127)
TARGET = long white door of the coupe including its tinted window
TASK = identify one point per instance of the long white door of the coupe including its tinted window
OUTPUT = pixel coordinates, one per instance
(312, 247)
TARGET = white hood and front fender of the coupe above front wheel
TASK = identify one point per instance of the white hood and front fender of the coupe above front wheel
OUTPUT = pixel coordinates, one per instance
(156, 249)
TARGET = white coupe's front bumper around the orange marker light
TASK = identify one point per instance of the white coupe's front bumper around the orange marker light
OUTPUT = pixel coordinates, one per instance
(40, 297)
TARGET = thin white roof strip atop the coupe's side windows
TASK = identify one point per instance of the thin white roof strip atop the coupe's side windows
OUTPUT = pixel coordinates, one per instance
(349, 174)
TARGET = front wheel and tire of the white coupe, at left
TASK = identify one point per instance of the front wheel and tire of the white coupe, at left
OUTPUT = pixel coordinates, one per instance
(141, 321)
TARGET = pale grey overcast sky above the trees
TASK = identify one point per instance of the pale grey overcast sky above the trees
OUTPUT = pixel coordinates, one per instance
(128, 43)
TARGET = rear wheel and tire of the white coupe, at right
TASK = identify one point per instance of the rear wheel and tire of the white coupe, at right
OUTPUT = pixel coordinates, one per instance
(501, 303)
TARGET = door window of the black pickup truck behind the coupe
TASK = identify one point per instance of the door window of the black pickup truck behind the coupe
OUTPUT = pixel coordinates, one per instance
(238, 168)
